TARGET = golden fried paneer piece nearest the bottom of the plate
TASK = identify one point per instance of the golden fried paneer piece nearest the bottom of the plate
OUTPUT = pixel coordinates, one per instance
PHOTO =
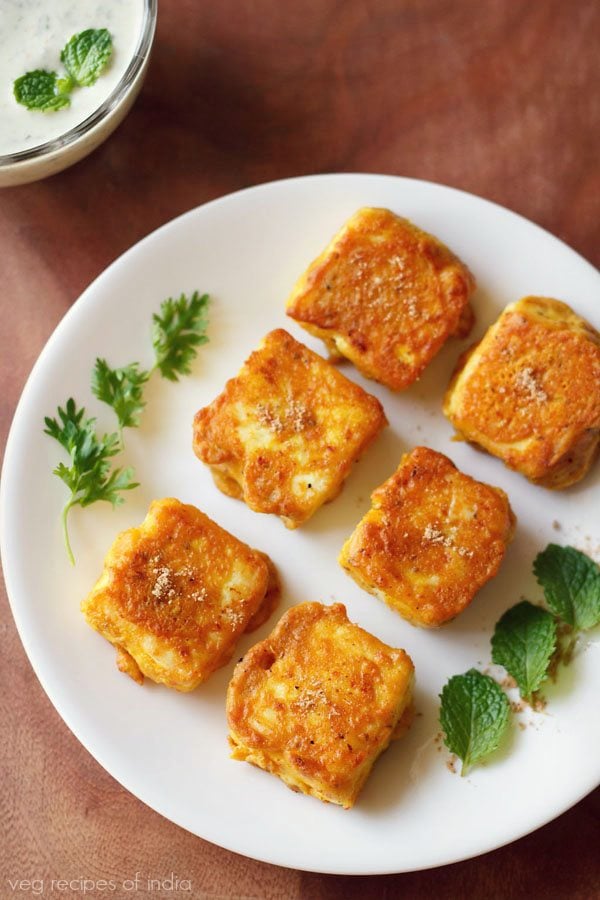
(318, 701)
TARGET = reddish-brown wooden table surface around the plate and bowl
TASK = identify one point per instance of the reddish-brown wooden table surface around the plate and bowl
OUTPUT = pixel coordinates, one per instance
(499, 97)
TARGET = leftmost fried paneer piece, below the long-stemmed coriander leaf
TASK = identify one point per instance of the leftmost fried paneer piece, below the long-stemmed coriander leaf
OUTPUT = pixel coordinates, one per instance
(177, 593)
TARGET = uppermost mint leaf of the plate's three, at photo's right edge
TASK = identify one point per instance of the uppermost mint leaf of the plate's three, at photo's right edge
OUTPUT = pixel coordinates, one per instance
(571, 583)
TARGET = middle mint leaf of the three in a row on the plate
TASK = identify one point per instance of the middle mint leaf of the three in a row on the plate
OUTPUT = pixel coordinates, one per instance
(523, 642)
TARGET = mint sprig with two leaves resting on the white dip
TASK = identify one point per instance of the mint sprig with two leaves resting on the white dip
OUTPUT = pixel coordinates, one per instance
(84, 57)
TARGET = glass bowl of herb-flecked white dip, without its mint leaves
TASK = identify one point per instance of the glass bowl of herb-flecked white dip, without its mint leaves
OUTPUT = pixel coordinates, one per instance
(34, 144)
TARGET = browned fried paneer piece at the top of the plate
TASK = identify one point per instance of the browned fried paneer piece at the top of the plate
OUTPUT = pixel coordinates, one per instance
(386, 295)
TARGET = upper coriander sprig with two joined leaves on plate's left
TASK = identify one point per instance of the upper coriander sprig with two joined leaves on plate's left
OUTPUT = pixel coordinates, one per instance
(177, 332)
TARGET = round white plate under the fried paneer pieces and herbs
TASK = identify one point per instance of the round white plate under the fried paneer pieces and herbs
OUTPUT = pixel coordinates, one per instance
(170, 749)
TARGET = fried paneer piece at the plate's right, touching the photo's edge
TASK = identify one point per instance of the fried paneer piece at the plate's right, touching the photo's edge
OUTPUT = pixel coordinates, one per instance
(529, 392)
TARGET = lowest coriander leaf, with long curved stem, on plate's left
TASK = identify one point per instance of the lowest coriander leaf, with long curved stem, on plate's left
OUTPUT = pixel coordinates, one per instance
(89, 477)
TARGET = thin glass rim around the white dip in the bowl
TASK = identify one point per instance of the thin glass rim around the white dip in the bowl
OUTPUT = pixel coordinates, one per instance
(74, 134)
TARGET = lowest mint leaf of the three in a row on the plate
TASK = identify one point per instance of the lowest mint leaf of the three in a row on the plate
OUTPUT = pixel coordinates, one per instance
(473, 715)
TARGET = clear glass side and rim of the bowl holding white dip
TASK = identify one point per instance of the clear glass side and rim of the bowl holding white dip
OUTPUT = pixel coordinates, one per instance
(52, 156)
